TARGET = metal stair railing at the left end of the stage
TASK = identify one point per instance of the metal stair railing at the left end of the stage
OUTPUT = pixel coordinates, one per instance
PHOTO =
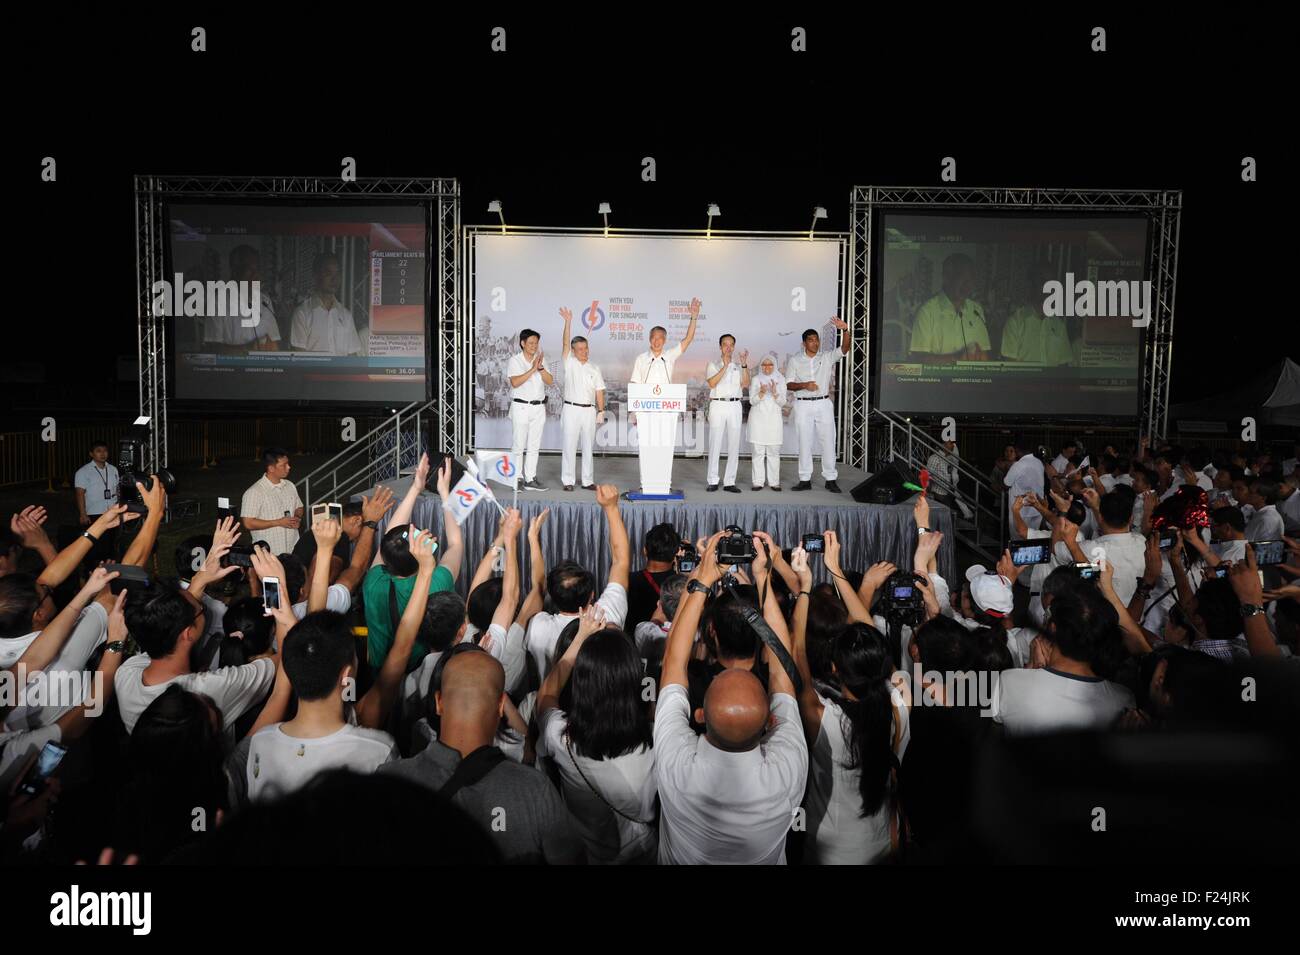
(383, 454)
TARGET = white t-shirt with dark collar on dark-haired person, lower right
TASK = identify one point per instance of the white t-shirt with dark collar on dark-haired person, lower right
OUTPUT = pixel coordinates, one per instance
(1047, 701)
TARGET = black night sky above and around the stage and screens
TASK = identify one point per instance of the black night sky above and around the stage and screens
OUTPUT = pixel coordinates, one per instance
(562, 120)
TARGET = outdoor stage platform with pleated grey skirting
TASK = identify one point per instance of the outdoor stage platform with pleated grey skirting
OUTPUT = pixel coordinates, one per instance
(577, 531)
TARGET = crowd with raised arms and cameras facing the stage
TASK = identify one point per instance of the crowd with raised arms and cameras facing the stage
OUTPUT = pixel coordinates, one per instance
(710, 705)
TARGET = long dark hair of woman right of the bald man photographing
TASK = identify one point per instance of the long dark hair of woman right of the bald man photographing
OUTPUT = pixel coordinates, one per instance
(863, 662)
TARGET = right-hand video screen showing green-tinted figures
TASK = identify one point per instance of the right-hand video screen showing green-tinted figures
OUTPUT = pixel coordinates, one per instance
(1011, 315)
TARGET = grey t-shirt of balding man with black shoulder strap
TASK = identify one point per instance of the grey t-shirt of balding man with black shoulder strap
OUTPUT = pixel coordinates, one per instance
(515, 805)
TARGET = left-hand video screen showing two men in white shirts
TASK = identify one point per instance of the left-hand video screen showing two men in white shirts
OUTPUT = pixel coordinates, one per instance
(297, 302)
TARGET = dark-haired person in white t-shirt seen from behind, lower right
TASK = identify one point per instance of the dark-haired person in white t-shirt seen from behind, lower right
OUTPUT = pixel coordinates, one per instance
(1084, 643)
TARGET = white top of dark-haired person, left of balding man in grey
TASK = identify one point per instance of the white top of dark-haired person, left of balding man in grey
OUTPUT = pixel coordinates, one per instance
(280, 765)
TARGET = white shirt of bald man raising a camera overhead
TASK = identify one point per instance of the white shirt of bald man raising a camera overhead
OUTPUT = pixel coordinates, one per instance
(726, 808)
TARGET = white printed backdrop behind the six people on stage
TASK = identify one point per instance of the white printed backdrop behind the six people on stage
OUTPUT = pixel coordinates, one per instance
(764, 292)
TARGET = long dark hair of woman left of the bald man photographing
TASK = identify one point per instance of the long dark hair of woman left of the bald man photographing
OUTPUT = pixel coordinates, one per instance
(609, 718)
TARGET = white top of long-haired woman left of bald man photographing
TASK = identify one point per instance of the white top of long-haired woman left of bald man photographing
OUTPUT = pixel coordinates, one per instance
(627, 783)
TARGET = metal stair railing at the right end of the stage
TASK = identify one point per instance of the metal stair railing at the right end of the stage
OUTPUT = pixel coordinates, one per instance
(980, 520)
